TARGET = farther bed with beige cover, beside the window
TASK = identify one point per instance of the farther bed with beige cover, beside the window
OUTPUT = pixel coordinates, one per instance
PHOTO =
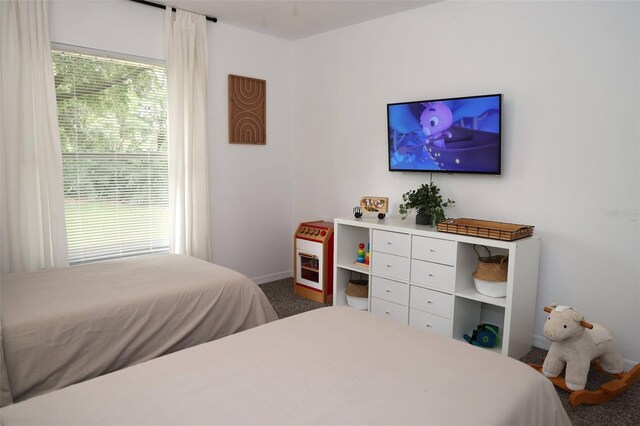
(64, 326)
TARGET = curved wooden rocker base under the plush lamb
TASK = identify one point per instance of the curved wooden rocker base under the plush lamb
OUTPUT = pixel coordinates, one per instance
(616, 387)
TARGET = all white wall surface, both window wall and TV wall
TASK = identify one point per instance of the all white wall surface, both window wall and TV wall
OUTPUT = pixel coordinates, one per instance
(569, 74)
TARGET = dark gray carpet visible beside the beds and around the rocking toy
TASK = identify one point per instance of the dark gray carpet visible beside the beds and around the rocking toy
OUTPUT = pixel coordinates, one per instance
(624, 410)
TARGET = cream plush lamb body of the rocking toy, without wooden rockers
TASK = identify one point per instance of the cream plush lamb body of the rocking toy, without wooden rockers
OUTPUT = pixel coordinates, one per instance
(576, 343)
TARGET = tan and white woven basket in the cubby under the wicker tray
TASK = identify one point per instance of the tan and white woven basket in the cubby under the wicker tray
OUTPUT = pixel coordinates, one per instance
(490, 276)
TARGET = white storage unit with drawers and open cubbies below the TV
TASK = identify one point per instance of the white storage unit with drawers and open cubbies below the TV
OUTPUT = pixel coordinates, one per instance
(422, 277)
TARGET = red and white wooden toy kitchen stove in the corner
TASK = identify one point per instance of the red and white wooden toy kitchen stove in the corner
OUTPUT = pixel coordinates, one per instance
(313, 262)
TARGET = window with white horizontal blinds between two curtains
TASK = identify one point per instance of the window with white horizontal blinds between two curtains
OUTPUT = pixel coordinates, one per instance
(112, 115)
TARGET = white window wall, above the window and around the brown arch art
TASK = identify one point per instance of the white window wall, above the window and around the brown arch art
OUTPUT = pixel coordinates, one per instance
(251, 195)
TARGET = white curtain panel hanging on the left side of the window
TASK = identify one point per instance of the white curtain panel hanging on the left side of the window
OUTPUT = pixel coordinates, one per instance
(33, 234)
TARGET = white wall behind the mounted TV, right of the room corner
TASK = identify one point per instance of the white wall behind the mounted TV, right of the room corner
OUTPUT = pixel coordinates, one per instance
(569, 72)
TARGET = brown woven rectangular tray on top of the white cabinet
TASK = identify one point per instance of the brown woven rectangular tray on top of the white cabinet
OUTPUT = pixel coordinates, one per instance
(486, 229)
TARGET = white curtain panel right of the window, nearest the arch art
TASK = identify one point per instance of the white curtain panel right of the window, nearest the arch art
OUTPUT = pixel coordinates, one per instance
(187, 134)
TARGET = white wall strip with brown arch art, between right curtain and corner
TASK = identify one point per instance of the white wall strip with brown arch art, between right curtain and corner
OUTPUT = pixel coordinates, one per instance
(251, 184)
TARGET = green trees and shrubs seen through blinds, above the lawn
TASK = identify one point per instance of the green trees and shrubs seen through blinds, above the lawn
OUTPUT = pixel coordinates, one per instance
(107, 106)
